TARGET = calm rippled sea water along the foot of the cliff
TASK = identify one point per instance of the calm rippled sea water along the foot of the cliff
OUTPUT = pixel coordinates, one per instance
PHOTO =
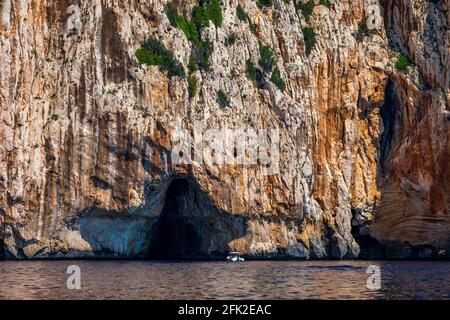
(217, 280)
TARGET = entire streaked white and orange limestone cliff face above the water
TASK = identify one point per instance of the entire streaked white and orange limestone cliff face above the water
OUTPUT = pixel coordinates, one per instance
(87, 131)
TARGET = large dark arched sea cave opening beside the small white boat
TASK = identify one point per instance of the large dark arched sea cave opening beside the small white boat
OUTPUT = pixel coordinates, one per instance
(191, 227)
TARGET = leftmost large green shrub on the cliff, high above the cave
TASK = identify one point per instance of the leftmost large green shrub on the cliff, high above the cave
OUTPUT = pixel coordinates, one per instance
(154, 53)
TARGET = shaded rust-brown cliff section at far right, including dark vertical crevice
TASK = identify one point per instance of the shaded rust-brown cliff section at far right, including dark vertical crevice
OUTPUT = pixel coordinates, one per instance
(414, 210)
